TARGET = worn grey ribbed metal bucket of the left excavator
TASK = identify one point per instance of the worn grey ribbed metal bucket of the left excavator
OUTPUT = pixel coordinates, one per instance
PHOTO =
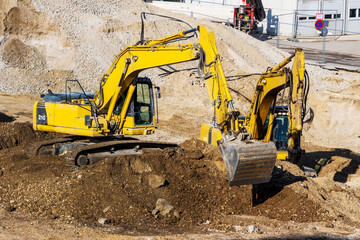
(249, 162)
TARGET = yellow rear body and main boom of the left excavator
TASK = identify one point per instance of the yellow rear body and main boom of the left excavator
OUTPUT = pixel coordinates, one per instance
(97, 118)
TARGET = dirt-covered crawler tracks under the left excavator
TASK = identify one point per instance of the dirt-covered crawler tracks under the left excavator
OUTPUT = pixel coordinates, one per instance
(84, 151)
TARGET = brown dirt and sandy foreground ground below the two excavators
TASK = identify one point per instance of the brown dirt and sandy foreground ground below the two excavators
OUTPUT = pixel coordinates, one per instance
(43, 196)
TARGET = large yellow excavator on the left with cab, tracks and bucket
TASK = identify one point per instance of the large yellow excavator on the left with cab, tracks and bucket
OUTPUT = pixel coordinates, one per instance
(124, 105)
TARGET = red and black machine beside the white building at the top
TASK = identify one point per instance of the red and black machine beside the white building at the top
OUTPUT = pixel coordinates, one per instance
(247, 15)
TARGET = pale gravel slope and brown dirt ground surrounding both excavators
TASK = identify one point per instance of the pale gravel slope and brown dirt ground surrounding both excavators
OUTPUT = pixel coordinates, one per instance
(163, 194)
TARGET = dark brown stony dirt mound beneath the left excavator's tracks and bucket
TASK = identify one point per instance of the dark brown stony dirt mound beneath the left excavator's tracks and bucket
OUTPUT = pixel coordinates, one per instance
(124, 191)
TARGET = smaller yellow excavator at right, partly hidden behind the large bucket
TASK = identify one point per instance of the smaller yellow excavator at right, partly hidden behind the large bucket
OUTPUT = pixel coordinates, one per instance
(282, 124)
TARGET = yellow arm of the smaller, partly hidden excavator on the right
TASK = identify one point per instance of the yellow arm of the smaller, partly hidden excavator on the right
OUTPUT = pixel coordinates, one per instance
(264, 101)
